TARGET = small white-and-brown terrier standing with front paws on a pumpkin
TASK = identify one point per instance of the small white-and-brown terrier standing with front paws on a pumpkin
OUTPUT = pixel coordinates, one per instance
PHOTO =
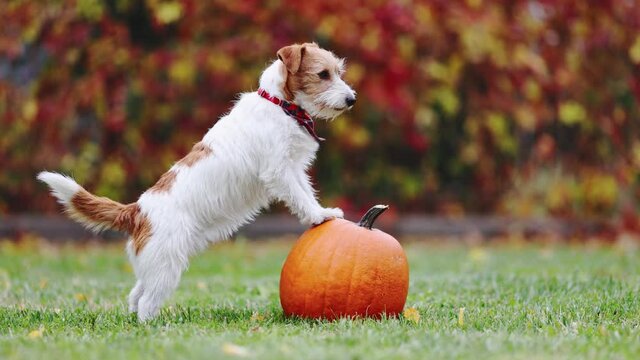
(256, 154)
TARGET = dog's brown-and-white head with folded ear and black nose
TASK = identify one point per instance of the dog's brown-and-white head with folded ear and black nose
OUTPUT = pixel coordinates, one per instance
(313, 80)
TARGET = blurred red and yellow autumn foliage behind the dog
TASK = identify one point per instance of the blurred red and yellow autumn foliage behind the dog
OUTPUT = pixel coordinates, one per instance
(509, 106)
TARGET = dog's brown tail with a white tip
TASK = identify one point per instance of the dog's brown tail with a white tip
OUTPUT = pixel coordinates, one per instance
(95, 213)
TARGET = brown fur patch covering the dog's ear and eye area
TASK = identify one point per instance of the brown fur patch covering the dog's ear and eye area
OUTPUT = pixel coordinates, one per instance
(302, 65)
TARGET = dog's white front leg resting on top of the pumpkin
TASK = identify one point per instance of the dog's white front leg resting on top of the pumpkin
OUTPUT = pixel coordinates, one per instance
(293, 187)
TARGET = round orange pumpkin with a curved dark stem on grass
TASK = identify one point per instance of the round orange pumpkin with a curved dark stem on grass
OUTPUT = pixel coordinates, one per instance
(342, 269)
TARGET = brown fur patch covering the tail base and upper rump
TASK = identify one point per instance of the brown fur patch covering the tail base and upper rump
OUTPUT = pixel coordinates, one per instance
(101, 212)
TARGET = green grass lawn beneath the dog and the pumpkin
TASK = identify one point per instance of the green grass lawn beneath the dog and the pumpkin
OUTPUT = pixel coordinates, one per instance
(520, 301)
